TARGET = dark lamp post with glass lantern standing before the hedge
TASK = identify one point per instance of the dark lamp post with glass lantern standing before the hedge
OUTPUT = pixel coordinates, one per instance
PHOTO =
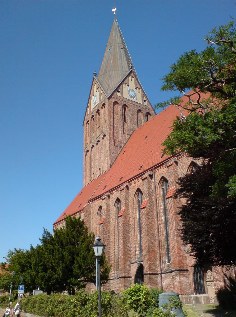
(98, 248)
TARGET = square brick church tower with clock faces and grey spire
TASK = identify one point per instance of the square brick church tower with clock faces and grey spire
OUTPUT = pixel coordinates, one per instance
(117, 106)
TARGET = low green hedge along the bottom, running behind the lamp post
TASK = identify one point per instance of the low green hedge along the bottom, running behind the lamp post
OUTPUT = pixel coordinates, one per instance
(136, 301)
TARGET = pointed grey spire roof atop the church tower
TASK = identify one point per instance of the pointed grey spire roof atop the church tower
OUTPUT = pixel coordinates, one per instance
(116, 62)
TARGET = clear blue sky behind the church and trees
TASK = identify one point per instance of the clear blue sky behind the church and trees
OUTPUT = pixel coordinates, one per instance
(49, 50)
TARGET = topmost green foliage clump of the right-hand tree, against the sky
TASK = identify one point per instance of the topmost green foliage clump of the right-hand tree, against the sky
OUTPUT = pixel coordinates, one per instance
(212, 70)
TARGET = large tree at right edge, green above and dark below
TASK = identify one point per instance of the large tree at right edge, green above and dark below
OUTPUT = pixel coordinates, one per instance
(206, 130)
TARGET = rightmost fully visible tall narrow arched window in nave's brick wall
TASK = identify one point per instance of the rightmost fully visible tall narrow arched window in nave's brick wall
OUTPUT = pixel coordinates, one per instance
(164, 189)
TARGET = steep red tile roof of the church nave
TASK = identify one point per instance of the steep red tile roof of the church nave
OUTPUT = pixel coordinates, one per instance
(142, 152)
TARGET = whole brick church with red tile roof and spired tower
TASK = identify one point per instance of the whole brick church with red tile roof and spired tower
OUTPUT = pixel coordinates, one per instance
(127, 198)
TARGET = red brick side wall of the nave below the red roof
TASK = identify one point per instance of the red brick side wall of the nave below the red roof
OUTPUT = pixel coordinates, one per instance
(120, 232)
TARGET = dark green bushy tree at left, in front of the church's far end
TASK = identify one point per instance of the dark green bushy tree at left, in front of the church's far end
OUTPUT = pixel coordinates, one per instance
(63, 261)
